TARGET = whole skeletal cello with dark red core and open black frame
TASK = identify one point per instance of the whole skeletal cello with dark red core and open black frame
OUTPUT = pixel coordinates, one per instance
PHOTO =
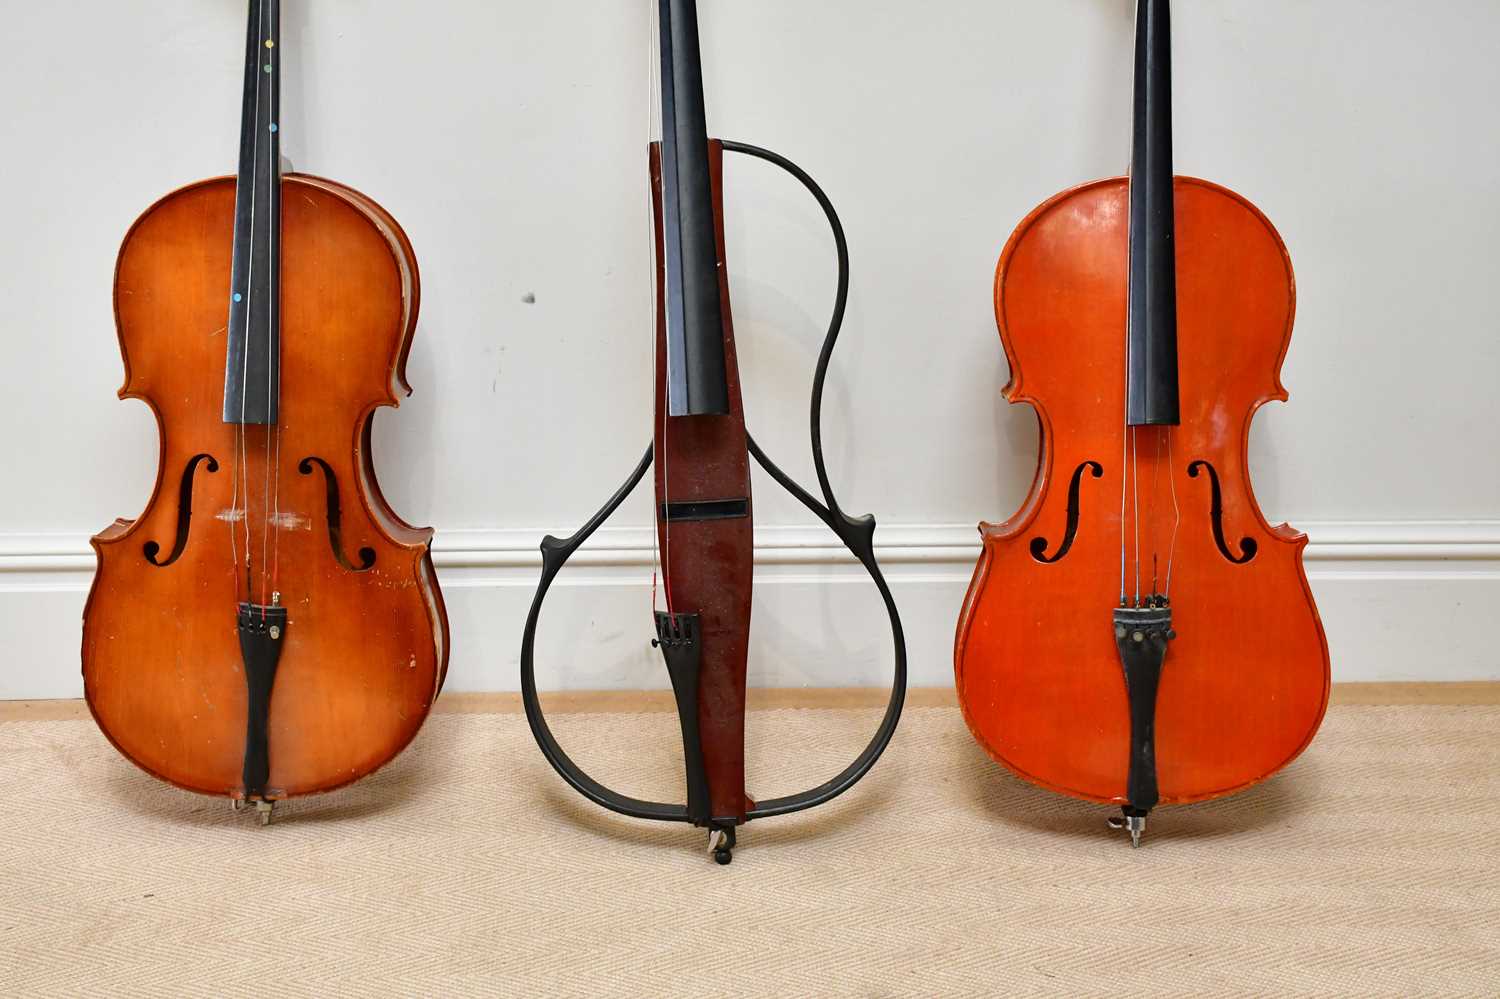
(703, 481)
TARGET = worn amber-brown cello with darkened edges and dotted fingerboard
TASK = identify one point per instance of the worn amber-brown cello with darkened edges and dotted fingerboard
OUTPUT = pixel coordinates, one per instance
(268, 628)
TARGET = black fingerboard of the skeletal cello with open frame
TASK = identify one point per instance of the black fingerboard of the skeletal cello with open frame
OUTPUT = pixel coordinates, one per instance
(695, 355)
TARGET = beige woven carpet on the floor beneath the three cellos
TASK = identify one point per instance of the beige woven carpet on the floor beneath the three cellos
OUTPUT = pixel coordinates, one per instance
(467, 868)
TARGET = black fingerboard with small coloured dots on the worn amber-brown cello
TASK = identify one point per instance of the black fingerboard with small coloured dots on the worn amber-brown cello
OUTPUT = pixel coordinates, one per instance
(253, 362)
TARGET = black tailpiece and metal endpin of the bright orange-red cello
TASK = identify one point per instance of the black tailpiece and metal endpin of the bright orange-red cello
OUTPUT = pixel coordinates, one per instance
(1142, 635)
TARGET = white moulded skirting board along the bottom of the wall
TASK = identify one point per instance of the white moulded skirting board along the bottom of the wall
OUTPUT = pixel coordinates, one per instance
(1400, 601)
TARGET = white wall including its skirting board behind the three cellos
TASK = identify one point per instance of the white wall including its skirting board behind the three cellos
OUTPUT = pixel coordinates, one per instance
(509, 139)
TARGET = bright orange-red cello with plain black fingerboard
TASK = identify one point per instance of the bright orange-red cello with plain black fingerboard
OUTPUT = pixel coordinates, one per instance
(1139, 634)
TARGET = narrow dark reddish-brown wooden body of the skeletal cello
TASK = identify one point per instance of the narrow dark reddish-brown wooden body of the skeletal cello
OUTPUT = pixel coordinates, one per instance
(707, 566)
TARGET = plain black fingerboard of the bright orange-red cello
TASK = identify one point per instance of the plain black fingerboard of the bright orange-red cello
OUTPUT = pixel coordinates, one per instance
(1153, 341)
